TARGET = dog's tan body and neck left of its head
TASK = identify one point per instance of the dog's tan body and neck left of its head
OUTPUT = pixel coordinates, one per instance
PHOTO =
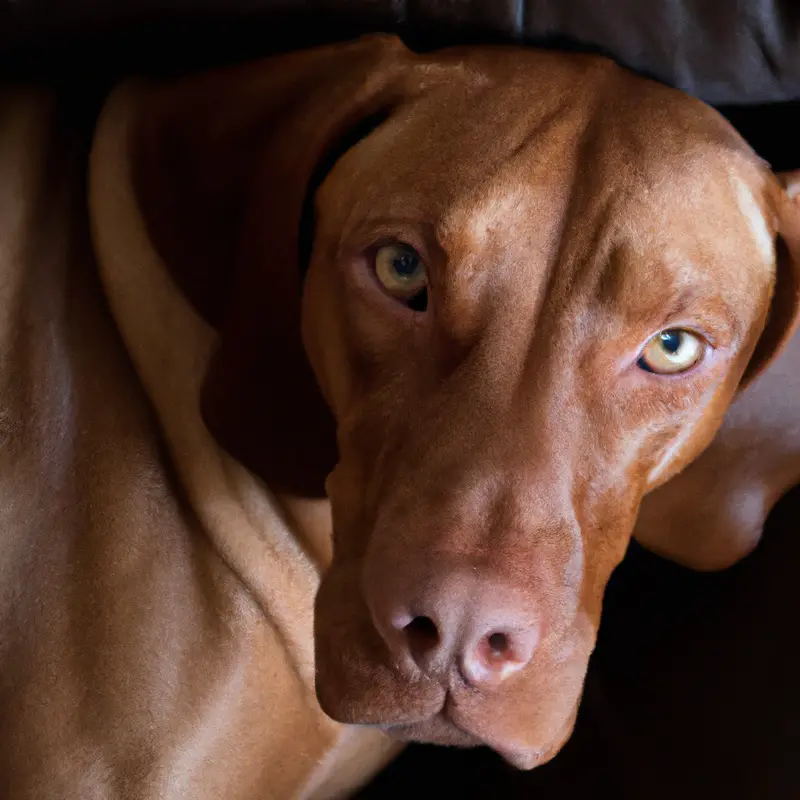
(156, 602)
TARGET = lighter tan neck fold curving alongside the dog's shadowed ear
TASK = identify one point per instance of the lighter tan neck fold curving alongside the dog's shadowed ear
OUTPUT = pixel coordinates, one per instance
(277, 544)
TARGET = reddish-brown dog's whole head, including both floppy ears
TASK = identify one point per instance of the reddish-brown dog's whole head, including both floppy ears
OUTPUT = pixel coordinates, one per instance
(495, 296)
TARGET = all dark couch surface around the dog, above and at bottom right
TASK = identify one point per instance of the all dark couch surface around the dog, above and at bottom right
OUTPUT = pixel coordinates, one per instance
(694, 690)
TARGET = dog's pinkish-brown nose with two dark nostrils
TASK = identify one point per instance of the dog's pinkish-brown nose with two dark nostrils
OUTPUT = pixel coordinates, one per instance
(483, 633)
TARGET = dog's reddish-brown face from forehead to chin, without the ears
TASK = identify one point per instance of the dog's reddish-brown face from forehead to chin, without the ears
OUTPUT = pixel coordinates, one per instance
(523, 319)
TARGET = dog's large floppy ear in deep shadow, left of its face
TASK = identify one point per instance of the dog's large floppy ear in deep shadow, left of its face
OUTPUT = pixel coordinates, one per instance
(225, 166)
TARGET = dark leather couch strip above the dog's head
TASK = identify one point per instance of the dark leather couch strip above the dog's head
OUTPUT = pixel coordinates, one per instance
(746, 51)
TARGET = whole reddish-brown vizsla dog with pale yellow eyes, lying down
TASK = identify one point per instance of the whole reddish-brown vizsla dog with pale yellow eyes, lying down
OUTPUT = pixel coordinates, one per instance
(431, 327)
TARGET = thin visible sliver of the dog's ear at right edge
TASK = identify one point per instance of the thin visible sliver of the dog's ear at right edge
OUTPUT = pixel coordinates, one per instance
(784, 311)
